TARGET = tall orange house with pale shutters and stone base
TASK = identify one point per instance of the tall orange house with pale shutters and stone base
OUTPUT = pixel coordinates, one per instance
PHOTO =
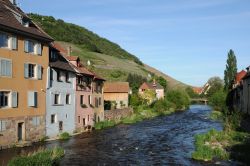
(24, 59)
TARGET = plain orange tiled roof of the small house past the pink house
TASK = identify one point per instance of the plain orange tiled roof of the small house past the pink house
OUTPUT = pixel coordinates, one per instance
(116, 87)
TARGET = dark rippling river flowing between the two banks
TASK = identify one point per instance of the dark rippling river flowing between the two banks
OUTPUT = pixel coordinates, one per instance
(165, 140)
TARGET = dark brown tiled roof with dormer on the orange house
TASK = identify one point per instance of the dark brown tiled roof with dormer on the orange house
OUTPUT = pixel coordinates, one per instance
(9, 22)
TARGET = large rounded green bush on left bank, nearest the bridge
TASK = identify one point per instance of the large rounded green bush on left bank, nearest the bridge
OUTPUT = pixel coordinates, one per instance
(180, 98)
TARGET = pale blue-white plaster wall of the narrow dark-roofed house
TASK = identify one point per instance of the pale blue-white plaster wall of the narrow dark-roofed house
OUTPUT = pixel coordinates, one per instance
(62, 111)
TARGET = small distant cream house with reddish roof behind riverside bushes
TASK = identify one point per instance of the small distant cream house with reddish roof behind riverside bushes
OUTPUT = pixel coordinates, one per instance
(156, 87)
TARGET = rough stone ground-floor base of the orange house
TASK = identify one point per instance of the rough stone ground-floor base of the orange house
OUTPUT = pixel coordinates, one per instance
(33, 129)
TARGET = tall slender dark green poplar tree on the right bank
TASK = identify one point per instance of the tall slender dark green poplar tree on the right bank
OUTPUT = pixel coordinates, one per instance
(230, 71)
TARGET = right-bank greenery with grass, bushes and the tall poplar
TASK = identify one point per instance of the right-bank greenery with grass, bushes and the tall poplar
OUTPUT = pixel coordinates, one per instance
(233, 142)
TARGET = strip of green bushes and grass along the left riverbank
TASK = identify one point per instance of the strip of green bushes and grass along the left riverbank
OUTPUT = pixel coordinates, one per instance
(175, 100)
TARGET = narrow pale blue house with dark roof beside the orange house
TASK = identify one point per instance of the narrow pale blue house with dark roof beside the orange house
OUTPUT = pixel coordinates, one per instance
(60, 95)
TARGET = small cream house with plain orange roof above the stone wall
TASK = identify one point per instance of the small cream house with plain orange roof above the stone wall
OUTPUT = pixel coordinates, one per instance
(117, 93)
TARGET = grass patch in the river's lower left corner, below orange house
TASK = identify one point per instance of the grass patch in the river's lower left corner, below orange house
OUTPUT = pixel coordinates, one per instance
(43, 157)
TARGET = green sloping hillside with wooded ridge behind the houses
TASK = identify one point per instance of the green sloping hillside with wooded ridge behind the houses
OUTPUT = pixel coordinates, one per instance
(107, 59)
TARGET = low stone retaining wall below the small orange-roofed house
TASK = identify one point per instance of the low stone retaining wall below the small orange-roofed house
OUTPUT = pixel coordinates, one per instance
(118, 113)
